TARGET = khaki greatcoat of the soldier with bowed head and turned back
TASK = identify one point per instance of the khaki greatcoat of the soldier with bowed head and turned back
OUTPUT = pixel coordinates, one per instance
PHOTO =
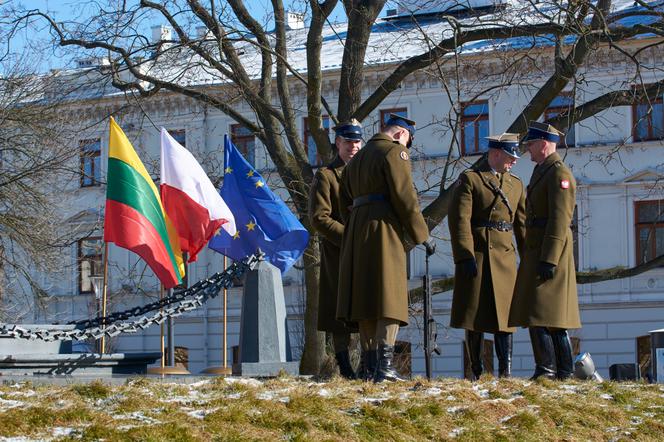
(373, 281)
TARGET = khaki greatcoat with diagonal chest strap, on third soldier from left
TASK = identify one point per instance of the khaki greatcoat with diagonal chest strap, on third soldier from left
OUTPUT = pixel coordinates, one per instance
(483, 303)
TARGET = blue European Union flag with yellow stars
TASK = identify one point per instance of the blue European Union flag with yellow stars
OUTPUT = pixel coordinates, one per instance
(262, 218)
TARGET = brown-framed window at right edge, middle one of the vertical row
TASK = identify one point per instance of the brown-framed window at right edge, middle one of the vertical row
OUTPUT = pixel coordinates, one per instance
(649, 230)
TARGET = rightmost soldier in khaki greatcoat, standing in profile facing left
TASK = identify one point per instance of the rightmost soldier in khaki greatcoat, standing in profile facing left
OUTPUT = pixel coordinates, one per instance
(545, 297)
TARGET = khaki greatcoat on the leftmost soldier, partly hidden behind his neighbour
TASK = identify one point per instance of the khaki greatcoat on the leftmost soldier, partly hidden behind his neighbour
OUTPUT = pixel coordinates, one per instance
(326, 220)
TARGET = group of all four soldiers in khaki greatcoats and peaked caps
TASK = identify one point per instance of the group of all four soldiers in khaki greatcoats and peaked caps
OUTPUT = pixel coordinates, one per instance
(366, 211)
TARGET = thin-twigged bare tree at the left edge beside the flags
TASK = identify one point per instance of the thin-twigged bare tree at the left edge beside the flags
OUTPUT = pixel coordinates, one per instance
(34, 170)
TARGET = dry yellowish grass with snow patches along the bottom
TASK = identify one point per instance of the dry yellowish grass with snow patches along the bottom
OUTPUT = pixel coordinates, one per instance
(300, 409)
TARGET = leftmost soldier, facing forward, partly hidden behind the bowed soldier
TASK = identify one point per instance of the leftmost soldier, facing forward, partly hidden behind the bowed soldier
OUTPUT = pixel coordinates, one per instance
(326, 219)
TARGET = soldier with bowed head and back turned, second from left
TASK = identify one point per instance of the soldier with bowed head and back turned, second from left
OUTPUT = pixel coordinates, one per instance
(382, 214)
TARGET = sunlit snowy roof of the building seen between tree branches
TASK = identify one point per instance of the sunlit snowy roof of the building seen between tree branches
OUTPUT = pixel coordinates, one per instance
(391, 41)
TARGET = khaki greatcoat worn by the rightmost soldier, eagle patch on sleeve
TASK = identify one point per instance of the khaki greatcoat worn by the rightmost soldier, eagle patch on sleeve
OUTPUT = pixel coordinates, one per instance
(553, 303)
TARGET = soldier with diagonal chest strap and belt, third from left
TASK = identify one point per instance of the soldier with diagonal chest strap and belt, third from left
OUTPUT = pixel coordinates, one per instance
(487, 208)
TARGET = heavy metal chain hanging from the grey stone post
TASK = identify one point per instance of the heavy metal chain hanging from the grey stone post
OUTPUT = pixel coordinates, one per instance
(169, 307)
